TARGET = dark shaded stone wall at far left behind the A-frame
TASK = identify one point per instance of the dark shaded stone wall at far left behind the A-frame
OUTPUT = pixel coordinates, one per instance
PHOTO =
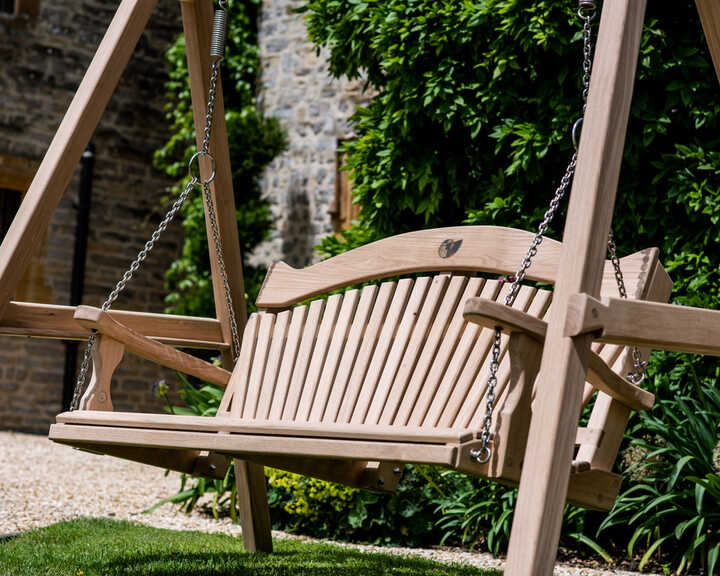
(42, 60)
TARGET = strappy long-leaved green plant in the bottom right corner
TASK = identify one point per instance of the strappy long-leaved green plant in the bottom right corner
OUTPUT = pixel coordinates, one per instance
(674, 507)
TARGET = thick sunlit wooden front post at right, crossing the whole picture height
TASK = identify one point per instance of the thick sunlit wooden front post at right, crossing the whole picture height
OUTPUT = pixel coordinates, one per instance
(546, 470)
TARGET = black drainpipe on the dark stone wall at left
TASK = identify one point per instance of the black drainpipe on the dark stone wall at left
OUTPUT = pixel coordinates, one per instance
(78, 273)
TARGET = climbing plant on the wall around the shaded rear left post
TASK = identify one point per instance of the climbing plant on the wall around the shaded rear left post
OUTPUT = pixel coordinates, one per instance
(253, 140)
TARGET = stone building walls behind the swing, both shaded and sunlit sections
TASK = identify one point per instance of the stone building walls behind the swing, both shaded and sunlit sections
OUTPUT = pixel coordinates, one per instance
(44, 52)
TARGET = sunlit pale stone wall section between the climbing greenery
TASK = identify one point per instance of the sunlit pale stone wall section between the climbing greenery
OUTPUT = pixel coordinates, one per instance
(295, 87)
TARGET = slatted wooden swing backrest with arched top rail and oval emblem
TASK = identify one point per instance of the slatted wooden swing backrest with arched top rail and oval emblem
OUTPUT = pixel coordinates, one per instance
(399, 353)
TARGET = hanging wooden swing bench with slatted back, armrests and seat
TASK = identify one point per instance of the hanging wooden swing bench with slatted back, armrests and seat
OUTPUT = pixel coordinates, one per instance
(350, 387)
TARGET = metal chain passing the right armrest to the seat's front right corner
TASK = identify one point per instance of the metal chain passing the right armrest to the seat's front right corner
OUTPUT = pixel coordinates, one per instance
(586, 12)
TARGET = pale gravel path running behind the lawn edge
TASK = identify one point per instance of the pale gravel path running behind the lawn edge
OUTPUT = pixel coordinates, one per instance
(42, 483)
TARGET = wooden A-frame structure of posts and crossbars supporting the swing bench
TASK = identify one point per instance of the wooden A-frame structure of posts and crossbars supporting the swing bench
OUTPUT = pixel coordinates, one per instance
(577, 316)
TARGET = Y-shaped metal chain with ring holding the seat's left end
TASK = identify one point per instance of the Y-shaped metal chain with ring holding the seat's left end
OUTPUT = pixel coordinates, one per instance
(172, 212)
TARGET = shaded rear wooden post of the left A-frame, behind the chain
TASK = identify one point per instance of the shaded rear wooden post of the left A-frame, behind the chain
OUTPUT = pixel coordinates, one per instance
(197, 23)
